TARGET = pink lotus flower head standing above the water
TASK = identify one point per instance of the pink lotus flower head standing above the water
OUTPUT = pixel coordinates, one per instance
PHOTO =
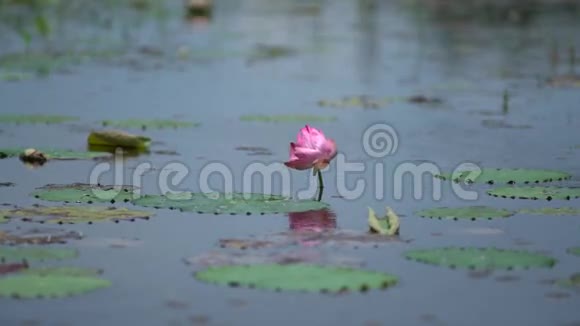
(311, 150)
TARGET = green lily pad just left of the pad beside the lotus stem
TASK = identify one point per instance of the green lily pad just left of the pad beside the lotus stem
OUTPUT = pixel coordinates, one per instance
(84, 193)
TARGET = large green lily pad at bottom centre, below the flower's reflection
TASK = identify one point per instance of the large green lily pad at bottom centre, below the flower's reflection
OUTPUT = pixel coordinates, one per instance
(297, 277)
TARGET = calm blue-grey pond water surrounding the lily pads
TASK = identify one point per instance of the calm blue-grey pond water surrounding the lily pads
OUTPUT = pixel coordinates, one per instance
(154, 63)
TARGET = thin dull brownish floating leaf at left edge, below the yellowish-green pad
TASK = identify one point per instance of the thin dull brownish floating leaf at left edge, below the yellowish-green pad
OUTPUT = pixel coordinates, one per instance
(38, 236)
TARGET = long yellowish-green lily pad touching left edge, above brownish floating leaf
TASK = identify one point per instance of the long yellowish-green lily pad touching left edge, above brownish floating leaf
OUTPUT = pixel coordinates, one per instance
(74, 214)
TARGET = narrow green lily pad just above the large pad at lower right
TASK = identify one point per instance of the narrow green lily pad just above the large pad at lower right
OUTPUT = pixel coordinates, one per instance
(470, 212)
